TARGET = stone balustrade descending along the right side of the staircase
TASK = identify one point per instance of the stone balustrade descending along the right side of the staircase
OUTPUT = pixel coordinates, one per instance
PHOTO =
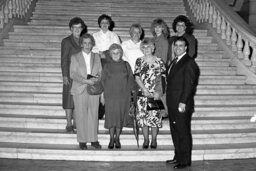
(232, 29)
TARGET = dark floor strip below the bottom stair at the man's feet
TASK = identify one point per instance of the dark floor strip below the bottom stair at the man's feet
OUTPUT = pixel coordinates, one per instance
(43, 165)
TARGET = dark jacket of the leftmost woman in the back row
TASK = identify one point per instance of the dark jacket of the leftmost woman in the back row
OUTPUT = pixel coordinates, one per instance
(68, 48)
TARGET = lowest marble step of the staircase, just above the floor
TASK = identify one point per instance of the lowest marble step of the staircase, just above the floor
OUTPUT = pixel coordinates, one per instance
(67, 152)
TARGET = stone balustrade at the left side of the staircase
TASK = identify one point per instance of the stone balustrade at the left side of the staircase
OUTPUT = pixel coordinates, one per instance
(10, 9)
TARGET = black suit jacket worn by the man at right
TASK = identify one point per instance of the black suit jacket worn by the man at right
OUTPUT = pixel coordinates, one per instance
(181, 83)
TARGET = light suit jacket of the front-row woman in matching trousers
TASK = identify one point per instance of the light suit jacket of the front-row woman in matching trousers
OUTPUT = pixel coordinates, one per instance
(78, 71)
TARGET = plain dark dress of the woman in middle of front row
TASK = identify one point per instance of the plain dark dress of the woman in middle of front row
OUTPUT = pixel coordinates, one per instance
(118, 81)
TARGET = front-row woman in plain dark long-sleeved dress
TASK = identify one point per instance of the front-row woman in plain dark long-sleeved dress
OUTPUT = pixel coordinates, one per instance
(118, 82)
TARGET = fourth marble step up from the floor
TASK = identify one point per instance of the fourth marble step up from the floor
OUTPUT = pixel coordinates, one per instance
(37, 110)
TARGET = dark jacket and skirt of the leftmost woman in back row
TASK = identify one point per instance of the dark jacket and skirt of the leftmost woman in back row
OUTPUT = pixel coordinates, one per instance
(68, 48)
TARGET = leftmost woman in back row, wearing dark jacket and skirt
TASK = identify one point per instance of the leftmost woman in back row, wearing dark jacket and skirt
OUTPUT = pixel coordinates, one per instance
(69, 46)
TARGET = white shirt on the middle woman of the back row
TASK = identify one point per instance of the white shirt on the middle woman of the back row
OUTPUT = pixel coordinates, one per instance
(131, 52)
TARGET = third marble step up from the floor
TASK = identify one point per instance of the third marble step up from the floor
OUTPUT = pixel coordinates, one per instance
(196, 125)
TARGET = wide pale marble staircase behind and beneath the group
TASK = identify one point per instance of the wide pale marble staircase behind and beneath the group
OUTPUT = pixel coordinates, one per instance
(32, 121)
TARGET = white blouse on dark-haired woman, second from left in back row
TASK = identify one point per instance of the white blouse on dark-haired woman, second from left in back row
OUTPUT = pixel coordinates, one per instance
(104, 40)
